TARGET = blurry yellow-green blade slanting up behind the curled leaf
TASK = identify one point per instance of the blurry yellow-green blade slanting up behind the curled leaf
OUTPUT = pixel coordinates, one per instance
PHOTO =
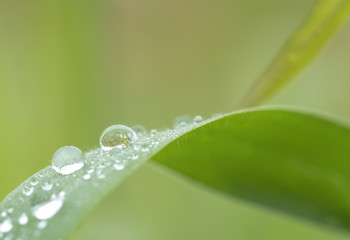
(302, 47)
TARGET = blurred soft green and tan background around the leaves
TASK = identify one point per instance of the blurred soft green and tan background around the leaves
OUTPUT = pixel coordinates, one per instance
(69, 69)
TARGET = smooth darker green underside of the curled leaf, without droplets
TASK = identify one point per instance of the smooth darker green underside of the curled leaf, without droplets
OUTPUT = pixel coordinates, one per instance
(285, 160)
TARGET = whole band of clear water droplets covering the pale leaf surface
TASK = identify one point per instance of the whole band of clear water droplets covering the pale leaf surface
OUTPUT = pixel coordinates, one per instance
(45, 193)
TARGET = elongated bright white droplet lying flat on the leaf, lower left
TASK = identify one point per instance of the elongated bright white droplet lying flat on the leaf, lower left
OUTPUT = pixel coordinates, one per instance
(47, 210)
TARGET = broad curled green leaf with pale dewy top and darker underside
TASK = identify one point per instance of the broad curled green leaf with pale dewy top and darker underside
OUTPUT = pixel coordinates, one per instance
(283, 159)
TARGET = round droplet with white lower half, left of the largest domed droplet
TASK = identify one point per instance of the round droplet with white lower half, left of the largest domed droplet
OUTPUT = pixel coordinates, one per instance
(67, 160)
